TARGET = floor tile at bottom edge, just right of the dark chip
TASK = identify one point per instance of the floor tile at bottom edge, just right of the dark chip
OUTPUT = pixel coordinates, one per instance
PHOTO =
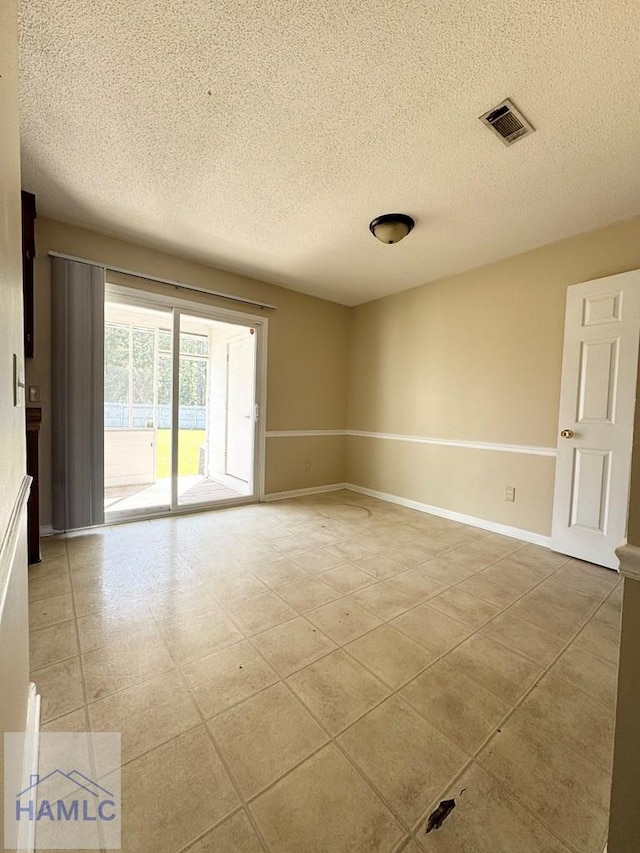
(487, 819)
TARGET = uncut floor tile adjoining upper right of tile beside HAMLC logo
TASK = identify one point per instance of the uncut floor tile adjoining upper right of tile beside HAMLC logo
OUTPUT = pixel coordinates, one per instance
(265, 736)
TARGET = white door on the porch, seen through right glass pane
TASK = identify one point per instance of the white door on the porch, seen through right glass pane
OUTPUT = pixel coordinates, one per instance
(240, 406)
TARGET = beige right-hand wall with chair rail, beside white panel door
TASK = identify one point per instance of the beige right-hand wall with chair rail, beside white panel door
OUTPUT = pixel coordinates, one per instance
(474, 357)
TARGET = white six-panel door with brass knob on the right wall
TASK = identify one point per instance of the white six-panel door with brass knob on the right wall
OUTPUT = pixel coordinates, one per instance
(597, 408)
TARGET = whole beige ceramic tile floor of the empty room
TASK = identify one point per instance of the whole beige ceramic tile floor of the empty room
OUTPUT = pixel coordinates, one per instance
(315, 675)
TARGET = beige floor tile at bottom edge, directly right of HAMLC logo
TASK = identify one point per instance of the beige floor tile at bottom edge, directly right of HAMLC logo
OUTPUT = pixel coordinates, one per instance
(183, 778)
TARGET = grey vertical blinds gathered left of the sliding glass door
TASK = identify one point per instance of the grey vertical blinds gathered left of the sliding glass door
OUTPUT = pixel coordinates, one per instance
(77, 384)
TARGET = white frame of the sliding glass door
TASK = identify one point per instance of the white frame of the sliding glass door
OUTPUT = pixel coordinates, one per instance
(134, 296)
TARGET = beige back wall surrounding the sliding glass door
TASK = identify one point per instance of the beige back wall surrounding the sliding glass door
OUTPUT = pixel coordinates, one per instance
(308, 348)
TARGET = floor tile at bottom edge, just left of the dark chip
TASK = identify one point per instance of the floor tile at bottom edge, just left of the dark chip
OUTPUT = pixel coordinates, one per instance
(324, 806)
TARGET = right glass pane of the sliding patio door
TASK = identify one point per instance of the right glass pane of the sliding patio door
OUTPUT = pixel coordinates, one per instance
(216, 423)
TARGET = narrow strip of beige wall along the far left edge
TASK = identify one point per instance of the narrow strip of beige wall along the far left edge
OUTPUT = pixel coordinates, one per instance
(14, 644)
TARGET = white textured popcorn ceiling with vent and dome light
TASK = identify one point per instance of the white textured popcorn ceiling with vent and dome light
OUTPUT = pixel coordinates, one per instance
(262, 137)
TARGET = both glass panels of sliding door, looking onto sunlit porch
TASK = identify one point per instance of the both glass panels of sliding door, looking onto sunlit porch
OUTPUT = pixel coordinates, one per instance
(180, 411)
